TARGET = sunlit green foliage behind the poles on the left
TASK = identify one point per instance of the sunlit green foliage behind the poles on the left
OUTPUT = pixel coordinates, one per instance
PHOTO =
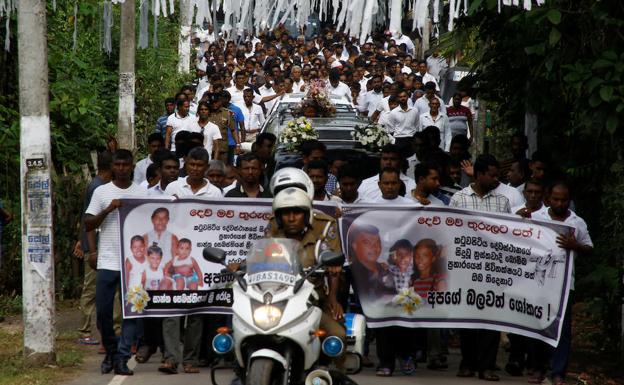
(83, 114)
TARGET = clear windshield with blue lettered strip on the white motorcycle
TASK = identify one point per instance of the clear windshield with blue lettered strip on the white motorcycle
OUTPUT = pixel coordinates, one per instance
(273, 260)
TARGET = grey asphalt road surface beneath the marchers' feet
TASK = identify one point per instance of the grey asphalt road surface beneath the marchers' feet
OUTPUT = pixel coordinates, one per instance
(147, 374)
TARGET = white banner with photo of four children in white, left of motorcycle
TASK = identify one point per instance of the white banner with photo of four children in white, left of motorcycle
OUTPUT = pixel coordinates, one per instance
(163, 271)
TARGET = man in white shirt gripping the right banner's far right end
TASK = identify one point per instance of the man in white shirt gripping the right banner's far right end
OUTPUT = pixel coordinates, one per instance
(559, 200)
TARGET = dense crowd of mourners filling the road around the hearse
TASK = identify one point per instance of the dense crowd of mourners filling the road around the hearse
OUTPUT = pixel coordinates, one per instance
(208, 144)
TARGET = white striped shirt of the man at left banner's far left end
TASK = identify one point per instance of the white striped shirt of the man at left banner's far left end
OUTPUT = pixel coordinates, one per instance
(108, 240)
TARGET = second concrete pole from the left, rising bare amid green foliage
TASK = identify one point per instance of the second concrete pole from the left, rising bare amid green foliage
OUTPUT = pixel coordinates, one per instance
(127, 48)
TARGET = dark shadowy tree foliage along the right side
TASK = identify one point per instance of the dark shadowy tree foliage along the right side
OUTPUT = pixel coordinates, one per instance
(564, 62)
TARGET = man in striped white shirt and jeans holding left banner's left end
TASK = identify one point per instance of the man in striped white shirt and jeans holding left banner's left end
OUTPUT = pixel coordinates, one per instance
(102, 214)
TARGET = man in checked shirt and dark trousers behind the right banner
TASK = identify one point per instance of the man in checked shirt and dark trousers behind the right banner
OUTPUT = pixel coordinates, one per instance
(479, 347)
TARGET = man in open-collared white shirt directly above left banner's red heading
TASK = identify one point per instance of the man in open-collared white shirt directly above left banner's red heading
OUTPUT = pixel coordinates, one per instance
(194, 184)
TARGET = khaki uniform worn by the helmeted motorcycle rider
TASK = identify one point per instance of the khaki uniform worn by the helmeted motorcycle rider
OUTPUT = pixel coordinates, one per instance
(322, 236)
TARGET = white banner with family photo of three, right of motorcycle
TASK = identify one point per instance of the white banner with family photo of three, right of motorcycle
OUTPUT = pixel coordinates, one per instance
(452, 268)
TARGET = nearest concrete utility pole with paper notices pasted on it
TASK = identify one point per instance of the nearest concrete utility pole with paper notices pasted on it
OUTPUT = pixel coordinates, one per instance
(35, 162)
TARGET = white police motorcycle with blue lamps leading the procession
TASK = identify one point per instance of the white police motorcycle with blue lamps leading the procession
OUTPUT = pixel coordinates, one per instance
(275, 336)
